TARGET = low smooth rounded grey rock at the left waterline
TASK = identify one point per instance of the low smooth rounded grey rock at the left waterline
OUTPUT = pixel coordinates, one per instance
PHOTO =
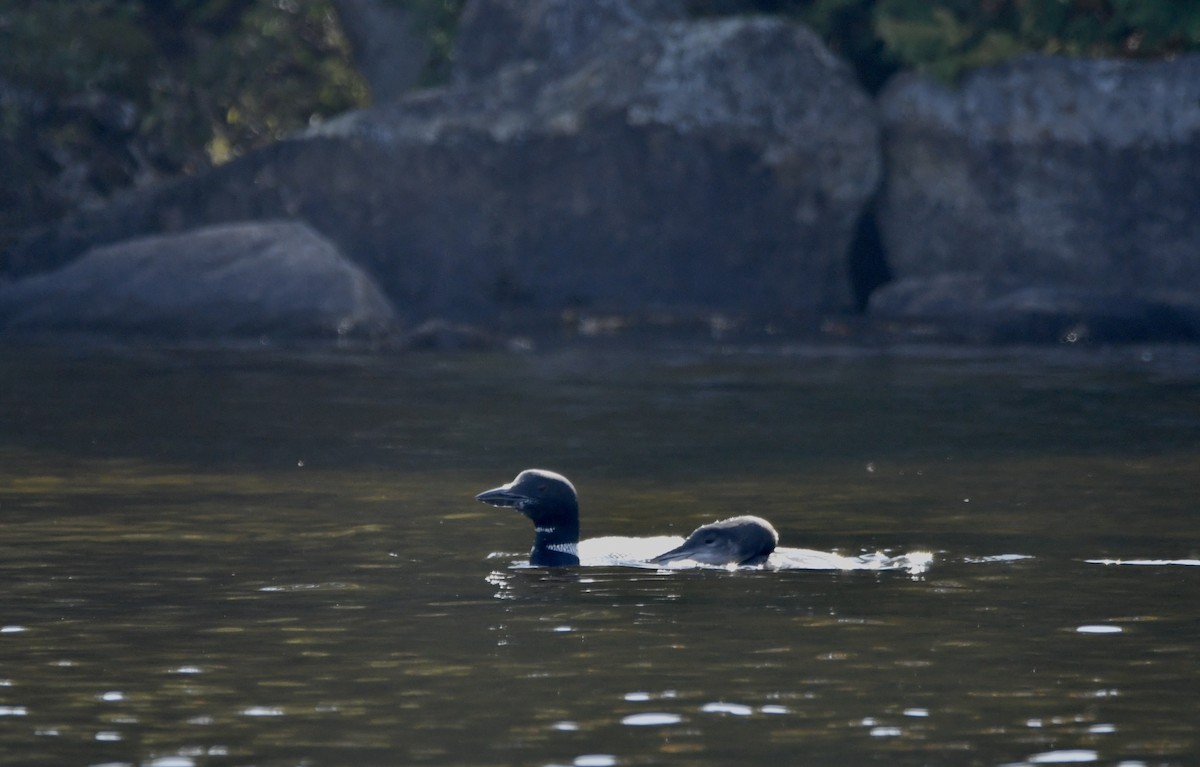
(278, 279)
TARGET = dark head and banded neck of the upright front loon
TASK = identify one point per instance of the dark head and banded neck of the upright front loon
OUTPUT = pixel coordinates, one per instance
(550, 501)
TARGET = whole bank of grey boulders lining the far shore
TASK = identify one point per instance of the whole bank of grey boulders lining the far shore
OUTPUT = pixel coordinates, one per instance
(649, 165)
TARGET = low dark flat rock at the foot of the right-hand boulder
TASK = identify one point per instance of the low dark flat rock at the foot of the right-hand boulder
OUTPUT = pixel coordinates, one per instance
(997, 310)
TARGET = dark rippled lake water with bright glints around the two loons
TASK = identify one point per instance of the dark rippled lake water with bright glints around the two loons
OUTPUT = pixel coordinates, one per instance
(274, 559)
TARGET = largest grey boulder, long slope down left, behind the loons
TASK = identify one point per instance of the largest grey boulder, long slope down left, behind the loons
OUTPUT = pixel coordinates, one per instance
(710, 166)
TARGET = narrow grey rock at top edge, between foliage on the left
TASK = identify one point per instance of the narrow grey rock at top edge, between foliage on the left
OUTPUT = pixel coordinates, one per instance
(388, 49)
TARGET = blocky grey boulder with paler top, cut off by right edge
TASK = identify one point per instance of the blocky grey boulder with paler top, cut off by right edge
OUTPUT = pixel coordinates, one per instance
(1073, 178)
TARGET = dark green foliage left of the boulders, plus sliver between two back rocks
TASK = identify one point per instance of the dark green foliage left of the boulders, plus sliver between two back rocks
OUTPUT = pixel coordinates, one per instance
(100, 95)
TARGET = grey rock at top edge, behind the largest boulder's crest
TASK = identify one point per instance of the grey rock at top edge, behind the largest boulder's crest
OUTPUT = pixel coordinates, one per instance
(494, 34)
